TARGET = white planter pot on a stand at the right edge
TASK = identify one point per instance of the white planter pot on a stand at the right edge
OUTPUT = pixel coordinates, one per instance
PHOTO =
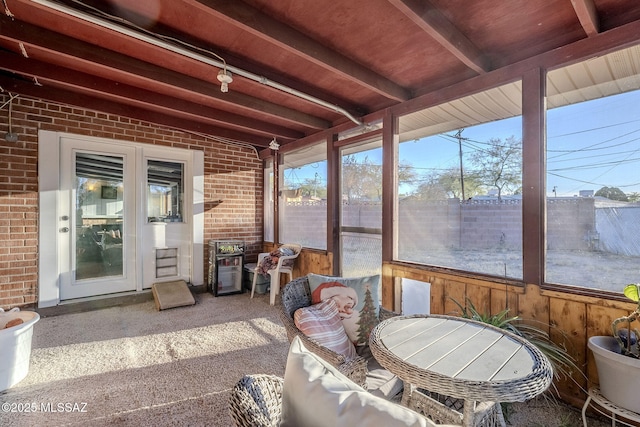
(619, 375)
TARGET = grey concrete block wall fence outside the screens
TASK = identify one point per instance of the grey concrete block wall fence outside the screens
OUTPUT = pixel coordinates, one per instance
(483, 224)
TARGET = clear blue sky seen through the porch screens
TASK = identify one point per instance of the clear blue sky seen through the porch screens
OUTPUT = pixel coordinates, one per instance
(590, 145)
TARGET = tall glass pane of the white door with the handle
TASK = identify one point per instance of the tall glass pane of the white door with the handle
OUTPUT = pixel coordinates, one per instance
(99, 216)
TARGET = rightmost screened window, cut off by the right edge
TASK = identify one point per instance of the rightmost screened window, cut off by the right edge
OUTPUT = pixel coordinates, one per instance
(593, 185)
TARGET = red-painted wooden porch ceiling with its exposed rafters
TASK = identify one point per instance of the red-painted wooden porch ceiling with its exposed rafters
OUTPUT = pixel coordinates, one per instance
(300, 71)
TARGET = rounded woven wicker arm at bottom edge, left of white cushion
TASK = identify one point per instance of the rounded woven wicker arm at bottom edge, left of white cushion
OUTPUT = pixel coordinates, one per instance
(256, 401)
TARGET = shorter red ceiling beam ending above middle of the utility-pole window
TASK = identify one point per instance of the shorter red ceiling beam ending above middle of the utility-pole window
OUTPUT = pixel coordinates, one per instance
(434, 23)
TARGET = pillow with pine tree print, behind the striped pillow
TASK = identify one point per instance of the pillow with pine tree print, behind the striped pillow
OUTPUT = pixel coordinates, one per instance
(358, 301)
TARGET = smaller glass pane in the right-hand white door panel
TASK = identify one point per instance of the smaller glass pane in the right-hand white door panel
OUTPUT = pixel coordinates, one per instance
(165, 191)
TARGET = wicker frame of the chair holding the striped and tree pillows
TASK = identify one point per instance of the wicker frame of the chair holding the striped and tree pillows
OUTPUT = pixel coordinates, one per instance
(296, 295)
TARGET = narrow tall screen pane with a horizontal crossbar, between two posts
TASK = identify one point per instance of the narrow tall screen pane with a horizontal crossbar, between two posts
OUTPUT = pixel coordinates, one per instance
(361, 225)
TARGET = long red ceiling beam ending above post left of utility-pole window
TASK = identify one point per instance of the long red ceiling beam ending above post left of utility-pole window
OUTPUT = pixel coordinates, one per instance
(267, 28)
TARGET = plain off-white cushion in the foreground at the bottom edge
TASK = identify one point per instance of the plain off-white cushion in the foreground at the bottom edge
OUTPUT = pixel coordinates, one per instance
(315, 394)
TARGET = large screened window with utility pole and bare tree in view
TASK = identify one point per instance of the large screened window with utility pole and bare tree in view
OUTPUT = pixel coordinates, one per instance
(460, 184)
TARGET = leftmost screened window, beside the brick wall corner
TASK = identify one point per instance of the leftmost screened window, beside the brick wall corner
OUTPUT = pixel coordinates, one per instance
(303, 197)
